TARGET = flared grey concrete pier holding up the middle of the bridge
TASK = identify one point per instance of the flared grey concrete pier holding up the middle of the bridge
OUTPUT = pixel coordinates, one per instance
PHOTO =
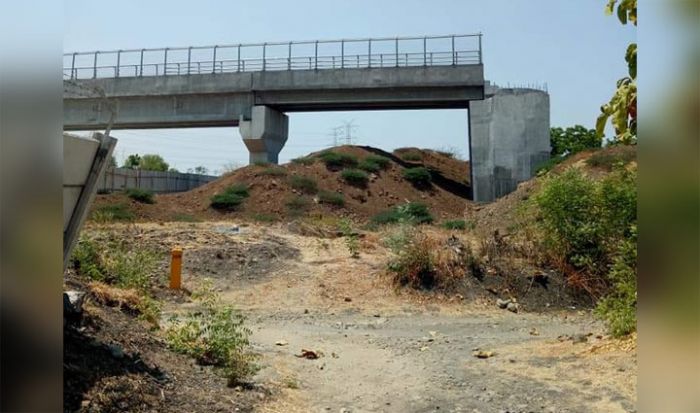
(264, 134)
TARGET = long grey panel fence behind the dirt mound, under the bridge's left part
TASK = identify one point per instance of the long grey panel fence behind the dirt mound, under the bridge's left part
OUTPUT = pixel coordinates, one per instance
(119, 179)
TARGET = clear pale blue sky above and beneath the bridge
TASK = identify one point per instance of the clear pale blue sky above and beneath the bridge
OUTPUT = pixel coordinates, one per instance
(572, 46)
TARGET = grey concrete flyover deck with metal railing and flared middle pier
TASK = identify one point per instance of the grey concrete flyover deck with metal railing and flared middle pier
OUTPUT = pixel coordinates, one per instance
(252, 86)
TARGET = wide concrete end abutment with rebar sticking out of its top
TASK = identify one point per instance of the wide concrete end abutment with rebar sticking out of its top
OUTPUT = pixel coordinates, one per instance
(509, 137)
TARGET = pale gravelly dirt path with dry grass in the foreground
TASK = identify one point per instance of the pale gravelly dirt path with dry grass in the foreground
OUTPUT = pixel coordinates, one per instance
(385, 351)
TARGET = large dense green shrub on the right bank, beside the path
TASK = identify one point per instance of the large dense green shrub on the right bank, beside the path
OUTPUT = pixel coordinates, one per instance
(590, 226)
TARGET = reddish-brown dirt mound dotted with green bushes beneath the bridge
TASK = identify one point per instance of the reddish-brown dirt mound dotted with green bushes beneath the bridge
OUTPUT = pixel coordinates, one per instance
(273, 197)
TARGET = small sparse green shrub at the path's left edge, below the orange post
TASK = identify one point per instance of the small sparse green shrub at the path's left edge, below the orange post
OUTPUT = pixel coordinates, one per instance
(215, 335)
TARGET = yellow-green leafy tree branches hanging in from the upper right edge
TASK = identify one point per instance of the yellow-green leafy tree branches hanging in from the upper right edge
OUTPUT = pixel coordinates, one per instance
(622, 107)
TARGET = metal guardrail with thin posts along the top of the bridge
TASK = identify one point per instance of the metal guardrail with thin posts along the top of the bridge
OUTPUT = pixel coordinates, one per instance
(302, 55)
